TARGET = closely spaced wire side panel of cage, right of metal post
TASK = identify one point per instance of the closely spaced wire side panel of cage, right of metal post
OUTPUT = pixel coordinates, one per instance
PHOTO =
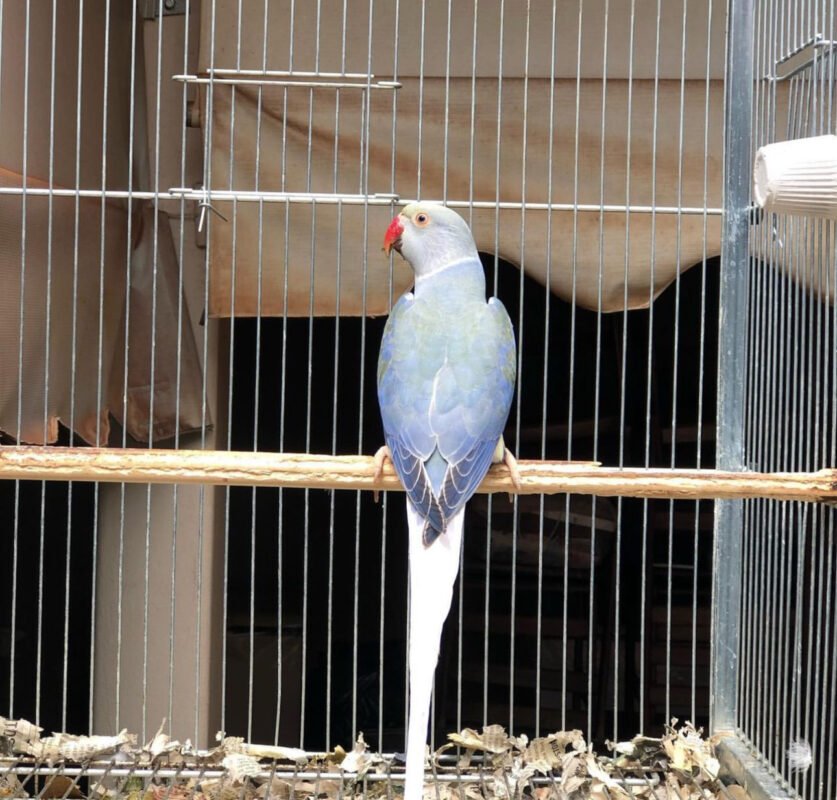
(787, 686)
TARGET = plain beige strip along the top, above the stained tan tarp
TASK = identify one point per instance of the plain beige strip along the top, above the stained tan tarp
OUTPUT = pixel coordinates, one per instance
(331, 36)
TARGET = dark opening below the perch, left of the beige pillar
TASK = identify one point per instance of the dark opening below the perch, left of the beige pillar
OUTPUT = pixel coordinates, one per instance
(47, 523)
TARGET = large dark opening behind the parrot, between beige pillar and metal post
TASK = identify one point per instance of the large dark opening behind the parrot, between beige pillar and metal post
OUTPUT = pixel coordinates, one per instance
(322, 604)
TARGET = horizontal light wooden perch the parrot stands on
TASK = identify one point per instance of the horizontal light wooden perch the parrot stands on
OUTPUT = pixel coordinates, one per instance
(292, 470)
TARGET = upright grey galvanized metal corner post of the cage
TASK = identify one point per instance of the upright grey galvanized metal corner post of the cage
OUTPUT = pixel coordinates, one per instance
(732, 359)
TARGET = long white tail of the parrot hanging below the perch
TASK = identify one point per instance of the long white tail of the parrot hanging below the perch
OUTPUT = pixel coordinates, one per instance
(433, 572)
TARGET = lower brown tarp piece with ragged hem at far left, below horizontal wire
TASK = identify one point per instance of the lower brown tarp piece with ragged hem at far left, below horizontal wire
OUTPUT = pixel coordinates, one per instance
(41, 292)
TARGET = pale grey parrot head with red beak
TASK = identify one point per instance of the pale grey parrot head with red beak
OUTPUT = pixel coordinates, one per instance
(430, 236)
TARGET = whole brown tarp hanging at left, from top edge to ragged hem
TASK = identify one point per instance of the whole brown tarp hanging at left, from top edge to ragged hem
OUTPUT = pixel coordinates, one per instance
(63, 261)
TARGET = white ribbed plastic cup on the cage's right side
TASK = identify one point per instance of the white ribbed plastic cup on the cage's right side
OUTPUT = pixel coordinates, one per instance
(798, 177)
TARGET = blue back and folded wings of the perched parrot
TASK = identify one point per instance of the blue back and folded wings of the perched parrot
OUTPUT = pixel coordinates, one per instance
(445, 384)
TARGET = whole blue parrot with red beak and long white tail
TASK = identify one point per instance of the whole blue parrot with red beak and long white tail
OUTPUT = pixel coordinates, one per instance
(446, 375)
